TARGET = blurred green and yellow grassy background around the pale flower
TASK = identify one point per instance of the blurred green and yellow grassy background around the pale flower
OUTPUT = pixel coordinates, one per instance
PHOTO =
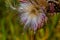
(12, 29)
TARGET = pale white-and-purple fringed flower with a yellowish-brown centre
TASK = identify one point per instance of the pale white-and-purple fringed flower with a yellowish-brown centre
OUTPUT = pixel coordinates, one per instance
(33, 20)
